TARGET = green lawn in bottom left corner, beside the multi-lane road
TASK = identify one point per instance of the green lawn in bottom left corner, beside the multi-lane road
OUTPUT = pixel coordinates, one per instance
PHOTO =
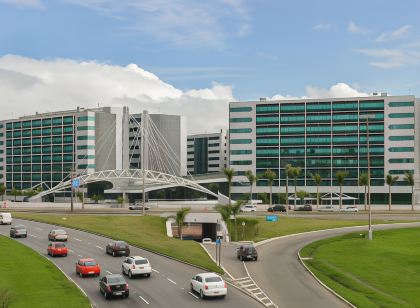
(32, 281)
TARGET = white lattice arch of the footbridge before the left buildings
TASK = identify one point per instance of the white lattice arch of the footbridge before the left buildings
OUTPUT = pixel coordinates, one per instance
(153, 180)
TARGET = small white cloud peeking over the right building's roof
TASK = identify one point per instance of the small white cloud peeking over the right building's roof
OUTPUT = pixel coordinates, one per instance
(335, 91)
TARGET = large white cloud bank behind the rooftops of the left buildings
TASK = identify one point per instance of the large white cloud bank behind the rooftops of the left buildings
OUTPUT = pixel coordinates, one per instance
(49, 85)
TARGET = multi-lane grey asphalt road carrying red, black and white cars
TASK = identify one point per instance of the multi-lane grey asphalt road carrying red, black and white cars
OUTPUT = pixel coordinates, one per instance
(168, 286)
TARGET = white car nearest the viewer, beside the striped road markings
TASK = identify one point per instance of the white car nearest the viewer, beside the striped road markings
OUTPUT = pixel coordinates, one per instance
(208, 284)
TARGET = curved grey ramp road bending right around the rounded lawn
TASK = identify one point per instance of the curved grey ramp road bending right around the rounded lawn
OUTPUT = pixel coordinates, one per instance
(286, 282)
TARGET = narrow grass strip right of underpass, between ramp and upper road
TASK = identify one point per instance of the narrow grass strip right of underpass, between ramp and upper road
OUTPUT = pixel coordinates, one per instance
(257, 229)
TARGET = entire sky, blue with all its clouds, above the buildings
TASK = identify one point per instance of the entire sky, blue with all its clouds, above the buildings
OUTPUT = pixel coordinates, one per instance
(193, 57)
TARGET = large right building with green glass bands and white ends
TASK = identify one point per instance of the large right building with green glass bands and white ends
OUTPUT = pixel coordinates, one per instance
(326, 136)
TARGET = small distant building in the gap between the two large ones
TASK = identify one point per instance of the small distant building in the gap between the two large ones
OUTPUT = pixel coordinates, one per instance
(206, 153)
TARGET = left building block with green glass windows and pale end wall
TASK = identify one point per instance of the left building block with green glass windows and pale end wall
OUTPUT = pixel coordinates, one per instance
(43, 149)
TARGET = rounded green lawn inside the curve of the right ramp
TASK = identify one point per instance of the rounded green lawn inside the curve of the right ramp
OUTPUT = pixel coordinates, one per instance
(384, 272)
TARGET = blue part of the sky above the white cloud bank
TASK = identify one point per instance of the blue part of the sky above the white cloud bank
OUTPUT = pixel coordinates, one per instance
(257, 48)
